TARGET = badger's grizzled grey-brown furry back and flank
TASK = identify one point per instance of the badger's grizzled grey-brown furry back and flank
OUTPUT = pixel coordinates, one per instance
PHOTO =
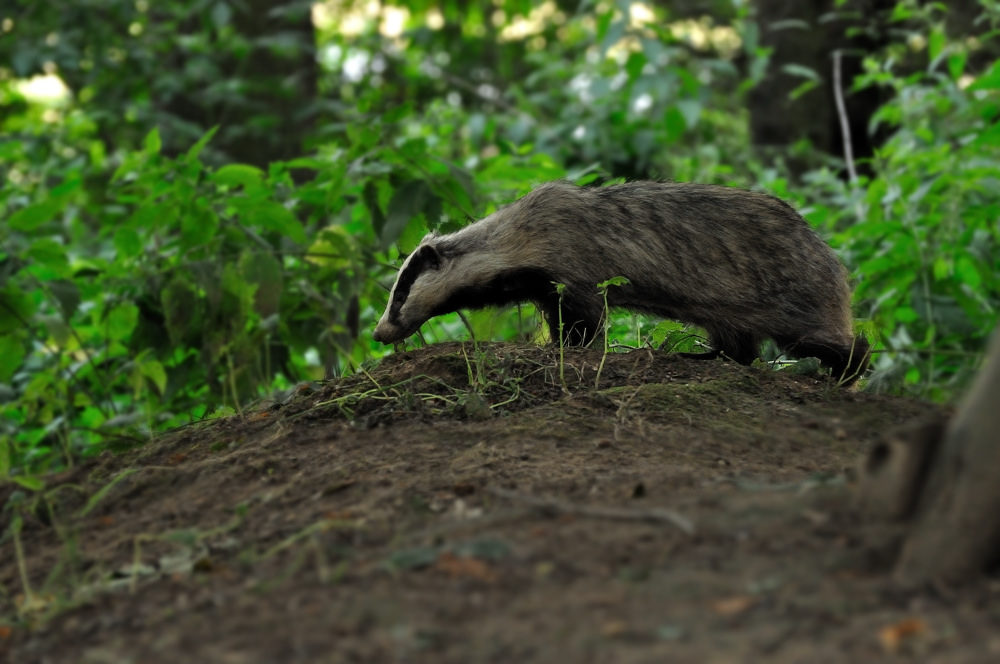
(694, 252)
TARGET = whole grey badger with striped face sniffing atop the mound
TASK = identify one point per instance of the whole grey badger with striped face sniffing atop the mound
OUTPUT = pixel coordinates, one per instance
(745, 266)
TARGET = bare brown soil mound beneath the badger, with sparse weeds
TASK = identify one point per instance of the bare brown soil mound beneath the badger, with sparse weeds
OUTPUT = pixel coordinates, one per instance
(458, 504)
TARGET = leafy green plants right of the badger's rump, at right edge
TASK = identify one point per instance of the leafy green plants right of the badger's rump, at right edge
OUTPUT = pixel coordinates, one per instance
(922, 233)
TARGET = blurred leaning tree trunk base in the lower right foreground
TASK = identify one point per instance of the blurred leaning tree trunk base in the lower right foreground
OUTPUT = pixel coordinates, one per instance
(946, 482)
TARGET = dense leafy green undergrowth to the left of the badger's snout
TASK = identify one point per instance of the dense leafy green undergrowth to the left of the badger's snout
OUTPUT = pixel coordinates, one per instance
(175, 288)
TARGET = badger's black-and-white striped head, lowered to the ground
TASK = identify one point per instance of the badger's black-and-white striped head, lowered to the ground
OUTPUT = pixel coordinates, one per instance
(421, 288)
